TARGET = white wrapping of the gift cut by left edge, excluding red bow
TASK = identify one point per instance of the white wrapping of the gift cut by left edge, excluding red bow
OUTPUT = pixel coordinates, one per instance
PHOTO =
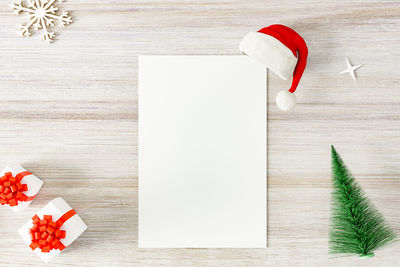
(34, 184)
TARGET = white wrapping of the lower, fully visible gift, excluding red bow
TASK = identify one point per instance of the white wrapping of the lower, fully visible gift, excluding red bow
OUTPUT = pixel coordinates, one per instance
(73, 227)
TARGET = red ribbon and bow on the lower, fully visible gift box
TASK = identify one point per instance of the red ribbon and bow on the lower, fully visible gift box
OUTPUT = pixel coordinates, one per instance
(46, 234)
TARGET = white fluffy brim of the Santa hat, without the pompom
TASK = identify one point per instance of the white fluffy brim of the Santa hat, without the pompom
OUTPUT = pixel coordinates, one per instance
(270, 52)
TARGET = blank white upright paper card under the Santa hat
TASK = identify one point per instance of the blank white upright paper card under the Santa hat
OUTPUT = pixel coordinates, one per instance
(202, 152)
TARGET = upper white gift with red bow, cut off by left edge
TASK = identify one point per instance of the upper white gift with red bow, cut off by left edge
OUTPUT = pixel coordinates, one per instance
(18, 187)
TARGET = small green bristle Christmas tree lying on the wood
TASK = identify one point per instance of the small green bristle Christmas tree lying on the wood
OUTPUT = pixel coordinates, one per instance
(357, 226)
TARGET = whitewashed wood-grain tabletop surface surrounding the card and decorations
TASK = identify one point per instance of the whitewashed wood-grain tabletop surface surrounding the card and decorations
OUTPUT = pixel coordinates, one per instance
(68, 113)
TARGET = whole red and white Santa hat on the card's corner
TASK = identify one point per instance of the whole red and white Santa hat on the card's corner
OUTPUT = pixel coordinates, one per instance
(283, 51)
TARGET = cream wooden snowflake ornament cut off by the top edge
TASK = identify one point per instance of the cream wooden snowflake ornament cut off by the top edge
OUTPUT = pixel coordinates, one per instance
(41, 15)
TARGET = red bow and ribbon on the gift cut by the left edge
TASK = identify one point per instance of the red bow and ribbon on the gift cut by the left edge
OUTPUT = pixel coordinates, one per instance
(11, 189)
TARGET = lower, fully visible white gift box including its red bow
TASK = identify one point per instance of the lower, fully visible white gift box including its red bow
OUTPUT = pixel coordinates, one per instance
(52, 229)
